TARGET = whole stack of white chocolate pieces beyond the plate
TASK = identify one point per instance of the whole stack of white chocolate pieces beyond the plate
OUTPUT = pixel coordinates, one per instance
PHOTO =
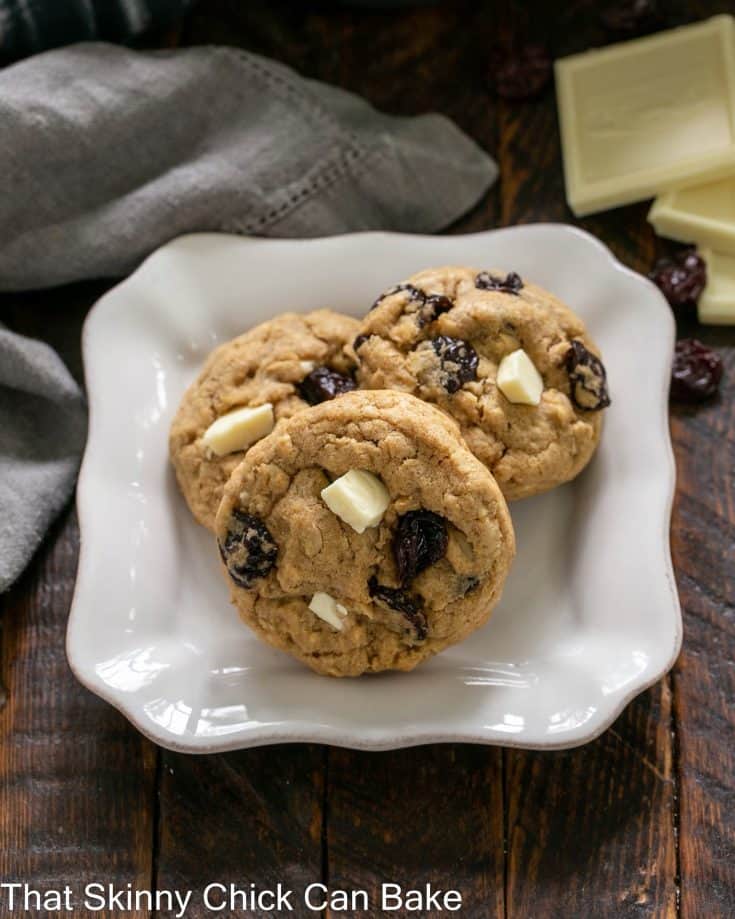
(656, 116)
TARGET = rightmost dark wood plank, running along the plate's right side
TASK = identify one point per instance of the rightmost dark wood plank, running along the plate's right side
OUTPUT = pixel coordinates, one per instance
(703, 540)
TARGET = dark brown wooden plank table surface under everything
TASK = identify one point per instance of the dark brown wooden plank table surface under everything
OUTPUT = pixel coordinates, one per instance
(639, 823)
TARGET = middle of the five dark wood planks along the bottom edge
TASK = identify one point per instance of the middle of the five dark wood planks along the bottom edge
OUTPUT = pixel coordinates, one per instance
(430, 815)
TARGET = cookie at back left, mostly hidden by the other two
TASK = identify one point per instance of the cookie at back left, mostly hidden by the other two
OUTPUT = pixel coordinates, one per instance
(246, 386)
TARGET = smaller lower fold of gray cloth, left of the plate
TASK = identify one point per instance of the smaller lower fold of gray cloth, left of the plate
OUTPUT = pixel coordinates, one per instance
(42, 429)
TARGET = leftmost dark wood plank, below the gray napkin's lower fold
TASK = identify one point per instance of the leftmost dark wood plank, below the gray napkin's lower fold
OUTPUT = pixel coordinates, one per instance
(76, 781)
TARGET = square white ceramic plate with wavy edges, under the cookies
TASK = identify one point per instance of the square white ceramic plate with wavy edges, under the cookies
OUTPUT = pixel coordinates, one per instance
(589, 616)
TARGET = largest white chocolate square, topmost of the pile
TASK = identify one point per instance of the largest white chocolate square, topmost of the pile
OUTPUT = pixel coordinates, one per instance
(644, 116)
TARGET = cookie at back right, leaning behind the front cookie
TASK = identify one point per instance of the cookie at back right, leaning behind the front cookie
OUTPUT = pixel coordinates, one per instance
(505, 358)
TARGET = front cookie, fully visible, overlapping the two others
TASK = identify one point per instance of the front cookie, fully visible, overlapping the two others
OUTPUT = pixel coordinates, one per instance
(363, 535)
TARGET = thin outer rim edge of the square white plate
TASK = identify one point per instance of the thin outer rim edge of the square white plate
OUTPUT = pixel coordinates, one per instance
(262, 734)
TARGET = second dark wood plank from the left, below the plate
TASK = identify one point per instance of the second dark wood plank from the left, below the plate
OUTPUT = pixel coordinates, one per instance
(252, 817)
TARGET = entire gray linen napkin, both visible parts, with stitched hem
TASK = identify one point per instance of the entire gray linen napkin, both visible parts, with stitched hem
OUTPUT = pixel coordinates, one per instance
(106, 153)
